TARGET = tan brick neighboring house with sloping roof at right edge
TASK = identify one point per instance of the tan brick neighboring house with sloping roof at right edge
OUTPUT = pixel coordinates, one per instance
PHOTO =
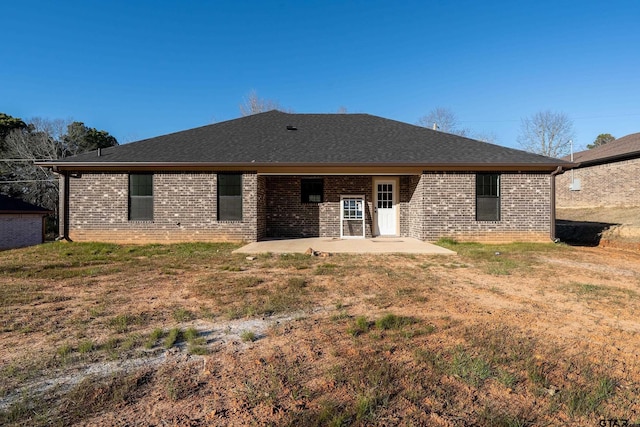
(608, 175)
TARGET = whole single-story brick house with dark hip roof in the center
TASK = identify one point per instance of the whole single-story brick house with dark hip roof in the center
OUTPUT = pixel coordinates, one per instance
(280, 175)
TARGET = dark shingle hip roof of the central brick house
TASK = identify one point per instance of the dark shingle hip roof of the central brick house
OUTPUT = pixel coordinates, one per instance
(346, 139)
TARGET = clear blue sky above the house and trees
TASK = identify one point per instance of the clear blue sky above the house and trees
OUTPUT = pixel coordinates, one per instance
(139, 69)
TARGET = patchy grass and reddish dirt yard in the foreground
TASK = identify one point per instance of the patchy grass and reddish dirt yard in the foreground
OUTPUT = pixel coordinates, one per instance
(191, 335)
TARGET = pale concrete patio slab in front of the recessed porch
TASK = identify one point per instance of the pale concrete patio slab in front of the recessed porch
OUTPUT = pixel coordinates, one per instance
(378, 245)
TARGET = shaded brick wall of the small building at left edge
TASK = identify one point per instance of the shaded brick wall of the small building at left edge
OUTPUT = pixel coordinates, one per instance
(19, 230)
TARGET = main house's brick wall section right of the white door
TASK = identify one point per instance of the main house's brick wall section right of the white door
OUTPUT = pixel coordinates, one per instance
(448, 208)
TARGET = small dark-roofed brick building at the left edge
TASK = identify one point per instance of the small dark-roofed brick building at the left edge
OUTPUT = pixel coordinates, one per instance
(21, 223)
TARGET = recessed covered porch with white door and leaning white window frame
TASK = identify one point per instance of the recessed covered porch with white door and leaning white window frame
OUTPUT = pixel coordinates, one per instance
(340, 205)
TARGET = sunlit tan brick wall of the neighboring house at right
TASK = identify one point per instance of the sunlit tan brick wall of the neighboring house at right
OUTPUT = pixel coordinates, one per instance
(612, 184)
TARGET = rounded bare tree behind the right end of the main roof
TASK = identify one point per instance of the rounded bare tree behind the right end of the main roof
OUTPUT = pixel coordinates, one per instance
(547, 133)
